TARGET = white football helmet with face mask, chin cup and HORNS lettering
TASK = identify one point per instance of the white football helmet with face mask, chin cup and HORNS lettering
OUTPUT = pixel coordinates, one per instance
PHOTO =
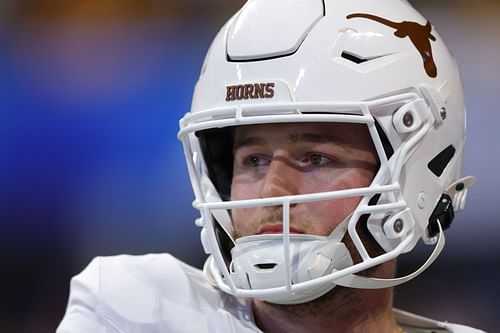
(379, 63)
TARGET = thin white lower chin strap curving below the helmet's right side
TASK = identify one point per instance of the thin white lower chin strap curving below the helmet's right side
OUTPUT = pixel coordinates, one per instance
(362, 282)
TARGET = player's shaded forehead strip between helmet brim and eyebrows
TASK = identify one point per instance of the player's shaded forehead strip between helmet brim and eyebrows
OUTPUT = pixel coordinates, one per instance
(340, 133)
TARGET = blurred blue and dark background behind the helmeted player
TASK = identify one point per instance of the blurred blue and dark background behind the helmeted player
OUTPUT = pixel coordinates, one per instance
(91, 92)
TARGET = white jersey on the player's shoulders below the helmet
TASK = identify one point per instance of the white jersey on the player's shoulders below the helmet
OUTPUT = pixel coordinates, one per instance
(157, 293)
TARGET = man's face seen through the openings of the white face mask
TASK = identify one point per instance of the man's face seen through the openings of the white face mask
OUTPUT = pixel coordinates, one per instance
(288, 159)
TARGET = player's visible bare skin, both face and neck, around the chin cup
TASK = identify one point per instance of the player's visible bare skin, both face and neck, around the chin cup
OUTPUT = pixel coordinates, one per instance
(288, 159)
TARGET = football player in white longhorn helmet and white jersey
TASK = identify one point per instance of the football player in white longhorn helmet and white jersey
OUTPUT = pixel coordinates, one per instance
(325, 139)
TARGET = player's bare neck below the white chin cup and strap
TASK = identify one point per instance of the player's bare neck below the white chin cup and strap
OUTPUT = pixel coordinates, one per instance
(343, 310)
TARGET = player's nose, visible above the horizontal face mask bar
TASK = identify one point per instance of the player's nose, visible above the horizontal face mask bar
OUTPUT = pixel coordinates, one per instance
(281, 179)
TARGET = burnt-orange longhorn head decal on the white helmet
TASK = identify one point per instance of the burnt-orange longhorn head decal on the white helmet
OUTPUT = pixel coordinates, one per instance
(420, 36)
